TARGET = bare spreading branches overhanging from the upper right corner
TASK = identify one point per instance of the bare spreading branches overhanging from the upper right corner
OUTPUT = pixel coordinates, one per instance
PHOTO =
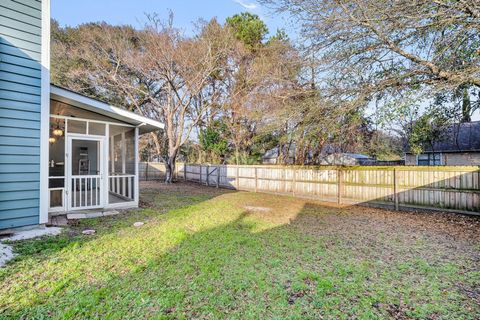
(367, 47)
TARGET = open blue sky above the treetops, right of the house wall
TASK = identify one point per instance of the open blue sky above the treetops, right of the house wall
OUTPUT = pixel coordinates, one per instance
(186, 12)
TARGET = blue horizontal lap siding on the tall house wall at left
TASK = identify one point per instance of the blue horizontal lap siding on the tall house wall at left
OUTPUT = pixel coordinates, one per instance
(20, 92)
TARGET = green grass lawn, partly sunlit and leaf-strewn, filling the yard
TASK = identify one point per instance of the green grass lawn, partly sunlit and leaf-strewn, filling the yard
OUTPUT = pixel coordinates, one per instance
(205, 253)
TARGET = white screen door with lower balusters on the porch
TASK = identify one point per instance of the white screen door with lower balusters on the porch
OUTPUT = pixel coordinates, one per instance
(85, 173)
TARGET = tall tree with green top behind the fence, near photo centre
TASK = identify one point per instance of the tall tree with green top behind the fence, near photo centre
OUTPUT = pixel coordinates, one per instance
(256, 76)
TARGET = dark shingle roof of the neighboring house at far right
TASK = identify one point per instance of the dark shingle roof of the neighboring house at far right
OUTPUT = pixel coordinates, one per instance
(460, 137)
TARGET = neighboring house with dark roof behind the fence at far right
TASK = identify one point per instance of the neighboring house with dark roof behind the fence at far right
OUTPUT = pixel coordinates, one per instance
(461, 147)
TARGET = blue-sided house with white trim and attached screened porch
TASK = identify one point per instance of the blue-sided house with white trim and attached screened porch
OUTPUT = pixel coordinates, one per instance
(59, 151)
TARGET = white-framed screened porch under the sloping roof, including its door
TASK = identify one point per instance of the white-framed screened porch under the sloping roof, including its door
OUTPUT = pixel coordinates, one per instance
(92, 160)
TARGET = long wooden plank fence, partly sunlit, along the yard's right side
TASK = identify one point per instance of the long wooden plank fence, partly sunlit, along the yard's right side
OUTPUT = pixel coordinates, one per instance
(455, 189)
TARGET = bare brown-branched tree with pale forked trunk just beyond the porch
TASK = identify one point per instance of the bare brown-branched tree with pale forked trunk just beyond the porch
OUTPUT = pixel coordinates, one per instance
(155, 71)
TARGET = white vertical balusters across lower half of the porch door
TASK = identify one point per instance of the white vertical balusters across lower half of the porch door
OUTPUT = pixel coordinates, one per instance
(86, 191)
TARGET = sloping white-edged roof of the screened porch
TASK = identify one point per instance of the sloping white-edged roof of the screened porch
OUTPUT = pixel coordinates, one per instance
(80, 101)
